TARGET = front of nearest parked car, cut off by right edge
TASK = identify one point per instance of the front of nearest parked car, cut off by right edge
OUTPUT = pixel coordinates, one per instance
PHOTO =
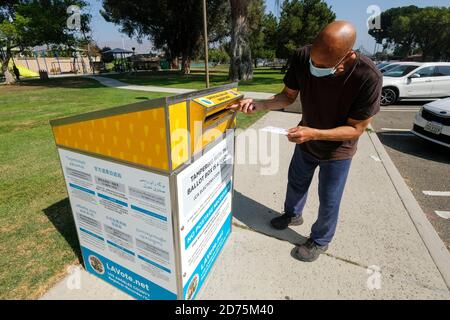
(433, 122)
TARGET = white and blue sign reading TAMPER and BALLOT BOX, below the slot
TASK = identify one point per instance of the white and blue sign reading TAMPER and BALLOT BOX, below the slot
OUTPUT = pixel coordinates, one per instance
(204, 201)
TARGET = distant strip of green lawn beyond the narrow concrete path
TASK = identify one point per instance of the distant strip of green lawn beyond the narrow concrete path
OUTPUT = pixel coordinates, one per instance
(265, 80)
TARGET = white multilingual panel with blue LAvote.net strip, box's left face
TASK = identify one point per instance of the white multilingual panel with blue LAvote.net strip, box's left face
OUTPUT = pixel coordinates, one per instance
(124, 223)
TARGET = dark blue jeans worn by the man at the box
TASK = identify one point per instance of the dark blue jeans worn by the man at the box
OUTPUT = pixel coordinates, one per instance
(332, 179)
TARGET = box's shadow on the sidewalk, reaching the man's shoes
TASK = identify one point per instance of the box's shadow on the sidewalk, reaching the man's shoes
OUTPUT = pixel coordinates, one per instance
(257, 217)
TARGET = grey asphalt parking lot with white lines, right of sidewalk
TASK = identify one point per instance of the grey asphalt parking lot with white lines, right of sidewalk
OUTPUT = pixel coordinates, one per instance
(423, 164)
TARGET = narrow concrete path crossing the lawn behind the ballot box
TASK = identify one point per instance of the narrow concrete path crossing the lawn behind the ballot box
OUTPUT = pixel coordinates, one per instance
(108, 82)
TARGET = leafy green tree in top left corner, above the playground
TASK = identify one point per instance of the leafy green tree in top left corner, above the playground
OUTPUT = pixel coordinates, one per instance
(30, 23)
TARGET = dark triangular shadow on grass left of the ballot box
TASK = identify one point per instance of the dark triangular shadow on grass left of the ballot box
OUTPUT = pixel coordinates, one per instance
(60, 215)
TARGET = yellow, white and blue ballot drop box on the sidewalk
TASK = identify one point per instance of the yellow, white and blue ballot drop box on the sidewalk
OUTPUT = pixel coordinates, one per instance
(150, 187)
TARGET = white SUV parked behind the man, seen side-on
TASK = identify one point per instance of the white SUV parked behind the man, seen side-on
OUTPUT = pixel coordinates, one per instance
(416, 80)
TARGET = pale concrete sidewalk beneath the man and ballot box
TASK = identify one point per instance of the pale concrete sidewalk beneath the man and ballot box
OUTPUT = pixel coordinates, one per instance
(375, 230)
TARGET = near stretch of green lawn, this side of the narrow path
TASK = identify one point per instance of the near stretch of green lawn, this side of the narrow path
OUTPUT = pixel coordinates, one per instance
(37, 235)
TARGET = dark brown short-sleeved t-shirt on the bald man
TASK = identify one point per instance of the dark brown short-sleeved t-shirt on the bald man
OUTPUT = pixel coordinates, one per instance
(329, 102)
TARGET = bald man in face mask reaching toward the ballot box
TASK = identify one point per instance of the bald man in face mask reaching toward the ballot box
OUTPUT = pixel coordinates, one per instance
(340, 92)
